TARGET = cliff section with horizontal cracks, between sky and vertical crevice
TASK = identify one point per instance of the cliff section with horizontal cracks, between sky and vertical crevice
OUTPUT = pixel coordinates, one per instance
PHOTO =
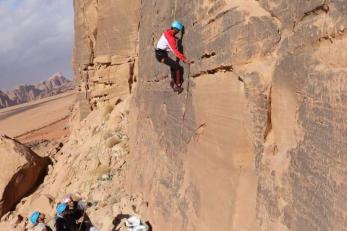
(104, 54)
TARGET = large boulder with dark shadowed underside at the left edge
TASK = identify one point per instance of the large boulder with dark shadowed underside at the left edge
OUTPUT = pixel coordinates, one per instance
(21, 172)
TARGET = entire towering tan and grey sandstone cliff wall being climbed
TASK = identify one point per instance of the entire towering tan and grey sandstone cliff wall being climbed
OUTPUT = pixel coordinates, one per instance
(256, 140)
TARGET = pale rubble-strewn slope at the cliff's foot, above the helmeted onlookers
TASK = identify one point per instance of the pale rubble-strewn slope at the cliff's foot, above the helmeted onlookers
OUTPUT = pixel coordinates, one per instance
(90, 164)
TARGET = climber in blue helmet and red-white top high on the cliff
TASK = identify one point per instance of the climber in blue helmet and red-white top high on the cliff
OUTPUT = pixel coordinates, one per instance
(167, 42)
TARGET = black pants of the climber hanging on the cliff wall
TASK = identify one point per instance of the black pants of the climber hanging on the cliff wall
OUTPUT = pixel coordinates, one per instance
(175, 67)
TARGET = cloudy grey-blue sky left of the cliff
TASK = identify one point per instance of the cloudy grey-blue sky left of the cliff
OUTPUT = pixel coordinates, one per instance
(36, 40)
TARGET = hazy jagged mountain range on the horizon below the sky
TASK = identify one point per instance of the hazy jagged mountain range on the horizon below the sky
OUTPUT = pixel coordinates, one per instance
(56, 84)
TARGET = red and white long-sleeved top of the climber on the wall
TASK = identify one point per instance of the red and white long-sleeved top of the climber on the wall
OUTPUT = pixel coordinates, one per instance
(167, 42)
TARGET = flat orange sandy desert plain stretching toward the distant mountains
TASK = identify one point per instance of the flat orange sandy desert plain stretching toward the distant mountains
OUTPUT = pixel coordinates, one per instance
(42, 119)
